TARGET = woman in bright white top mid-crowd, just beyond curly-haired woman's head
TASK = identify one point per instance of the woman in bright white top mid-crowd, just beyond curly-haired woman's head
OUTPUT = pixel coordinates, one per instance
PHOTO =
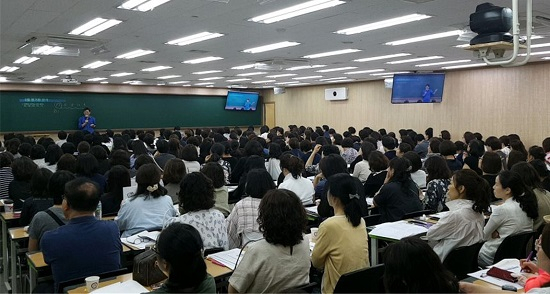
(292, 167)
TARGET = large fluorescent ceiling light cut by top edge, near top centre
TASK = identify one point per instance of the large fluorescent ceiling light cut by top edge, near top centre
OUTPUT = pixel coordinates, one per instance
(295, 10)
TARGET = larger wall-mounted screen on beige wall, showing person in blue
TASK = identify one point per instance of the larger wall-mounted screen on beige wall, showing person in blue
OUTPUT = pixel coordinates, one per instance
(417, 88)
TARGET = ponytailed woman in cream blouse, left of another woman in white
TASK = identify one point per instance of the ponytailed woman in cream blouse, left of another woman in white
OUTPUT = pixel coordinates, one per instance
(468, 199)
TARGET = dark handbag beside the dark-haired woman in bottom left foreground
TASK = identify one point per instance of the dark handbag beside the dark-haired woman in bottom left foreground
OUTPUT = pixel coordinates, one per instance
(145, 271)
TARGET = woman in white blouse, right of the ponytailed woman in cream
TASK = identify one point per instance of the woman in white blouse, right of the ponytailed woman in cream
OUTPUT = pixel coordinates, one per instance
(514, 216)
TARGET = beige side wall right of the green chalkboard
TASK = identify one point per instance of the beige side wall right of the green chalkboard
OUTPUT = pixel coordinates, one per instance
(492, 101)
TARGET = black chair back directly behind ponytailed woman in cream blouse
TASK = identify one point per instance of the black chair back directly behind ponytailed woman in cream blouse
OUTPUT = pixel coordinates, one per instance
(463, 260)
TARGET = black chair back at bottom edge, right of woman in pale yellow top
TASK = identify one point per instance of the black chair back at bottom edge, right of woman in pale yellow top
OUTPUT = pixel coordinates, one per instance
(367, 280)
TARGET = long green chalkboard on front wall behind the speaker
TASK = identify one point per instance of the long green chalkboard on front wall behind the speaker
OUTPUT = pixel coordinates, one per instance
(54, 111)
